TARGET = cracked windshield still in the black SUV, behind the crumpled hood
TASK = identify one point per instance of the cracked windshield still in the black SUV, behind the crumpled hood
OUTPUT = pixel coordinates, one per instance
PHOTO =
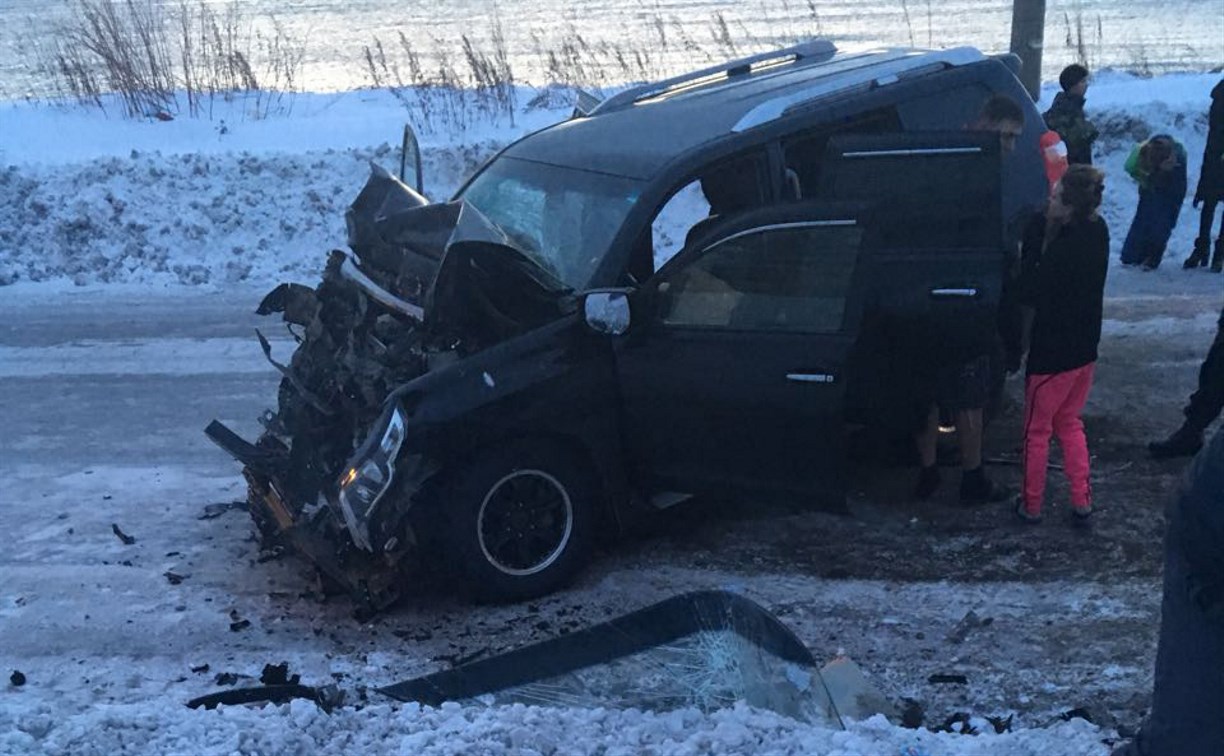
(562, 218)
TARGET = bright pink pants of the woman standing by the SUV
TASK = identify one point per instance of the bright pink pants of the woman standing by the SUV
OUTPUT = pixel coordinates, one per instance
(1052, 407)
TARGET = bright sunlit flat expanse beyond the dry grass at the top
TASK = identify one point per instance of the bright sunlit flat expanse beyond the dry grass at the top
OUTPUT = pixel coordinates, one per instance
(1154, 36)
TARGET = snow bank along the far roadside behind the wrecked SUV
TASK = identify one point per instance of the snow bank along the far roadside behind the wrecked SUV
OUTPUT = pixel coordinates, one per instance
(90, 200)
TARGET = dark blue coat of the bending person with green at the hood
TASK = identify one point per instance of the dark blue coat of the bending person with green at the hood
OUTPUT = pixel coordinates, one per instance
(1161, 198)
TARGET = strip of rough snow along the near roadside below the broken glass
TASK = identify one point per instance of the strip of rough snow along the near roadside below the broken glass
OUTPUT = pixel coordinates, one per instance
(511, 731)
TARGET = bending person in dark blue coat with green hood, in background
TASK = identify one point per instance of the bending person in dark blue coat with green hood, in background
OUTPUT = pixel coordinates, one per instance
(1159, 166)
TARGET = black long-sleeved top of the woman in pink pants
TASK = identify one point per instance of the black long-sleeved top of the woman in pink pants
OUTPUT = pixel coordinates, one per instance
(1064, 282)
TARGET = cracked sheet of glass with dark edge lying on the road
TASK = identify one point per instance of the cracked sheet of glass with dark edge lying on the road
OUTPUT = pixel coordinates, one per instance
(707, 650)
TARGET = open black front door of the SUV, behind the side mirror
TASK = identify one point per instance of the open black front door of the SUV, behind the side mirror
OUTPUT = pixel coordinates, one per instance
(734, 374)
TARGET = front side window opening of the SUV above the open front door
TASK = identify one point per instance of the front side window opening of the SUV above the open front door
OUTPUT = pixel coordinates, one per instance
(726, 188)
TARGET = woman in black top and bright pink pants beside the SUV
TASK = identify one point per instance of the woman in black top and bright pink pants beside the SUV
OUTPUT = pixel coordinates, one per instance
(1065, 259)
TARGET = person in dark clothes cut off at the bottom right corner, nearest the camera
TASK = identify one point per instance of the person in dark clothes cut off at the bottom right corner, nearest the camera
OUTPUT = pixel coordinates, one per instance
(1188, 700)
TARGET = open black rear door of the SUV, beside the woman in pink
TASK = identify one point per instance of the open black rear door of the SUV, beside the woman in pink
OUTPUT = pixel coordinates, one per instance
(939, 270)
